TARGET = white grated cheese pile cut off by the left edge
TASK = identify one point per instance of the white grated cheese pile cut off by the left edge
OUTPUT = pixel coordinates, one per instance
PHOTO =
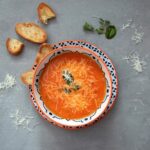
(8, 82)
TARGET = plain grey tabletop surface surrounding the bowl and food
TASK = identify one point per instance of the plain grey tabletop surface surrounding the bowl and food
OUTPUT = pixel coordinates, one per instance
(127, 126)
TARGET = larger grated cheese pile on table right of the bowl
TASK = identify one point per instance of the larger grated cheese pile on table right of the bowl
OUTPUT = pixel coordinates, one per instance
(135, 61)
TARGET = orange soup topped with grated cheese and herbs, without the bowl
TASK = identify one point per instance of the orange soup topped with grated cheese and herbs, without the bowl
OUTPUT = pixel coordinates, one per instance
(72, 85)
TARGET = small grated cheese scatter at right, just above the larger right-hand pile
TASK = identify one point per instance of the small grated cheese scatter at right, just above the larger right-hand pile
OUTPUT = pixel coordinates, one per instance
(137, 36)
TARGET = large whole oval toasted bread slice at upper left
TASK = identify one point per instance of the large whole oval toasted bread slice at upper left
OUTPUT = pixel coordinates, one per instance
(32, 32)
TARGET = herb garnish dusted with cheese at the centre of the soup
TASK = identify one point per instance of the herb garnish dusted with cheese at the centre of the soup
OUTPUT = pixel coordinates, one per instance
(69, 79)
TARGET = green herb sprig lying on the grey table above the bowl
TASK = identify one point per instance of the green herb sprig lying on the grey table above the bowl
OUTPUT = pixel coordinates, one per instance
(105, 28)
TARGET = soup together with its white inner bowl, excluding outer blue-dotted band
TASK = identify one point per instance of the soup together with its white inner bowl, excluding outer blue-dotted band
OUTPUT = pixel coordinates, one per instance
(72, 87)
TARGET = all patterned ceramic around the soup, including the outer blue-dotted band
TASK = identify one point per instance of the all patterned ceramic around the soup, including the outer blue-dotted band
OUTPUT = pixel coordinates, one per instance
(110, 74)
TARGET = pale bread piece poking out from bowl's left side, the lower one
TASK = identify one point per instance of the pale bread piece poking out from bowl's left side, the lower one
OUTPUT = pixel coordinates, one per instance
(27, 77)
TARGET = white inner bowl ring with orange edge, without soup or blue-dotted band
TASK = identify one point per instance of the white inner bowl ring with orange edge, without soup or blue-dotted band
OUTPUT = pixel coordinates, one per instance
(75, 123)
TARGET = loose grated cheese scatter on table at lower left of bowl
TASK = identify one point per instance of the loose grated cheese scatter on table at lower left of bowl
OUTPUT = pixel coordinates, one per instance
(23, 121)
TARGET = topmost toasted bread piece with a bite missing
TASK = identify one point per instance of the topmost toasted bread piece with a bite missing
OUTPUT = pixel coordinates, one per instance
(45, 12)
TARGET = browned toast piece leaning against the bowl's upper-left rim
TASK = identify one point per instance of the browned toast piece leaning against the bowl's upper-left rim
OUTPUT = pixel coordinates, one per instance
(43, 51)
